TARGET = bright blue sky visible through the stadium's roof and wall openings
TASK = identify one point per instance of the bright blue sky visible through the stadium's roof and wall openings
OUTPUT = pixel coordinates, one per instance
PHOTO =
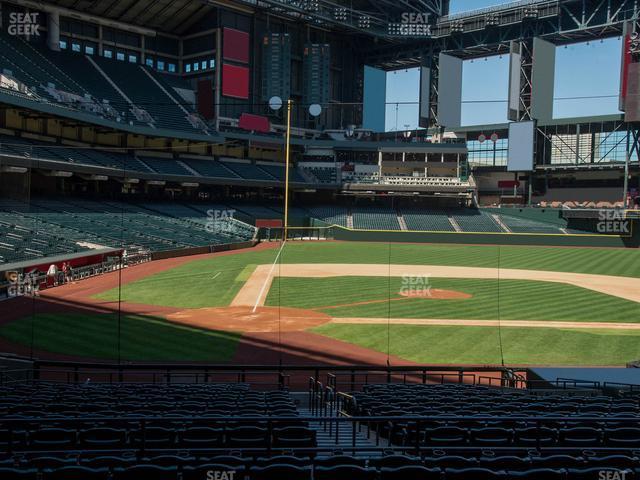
(582, 70)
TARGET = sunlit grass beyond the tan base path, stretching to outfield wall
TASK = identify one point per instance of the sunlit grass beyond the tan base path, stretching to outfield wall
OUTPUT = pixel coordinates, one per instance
(215, 281)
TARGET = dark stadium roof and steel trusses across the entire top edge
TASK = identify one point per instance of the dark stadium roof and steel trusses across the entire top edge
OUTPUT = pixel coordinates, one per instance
(470, 34)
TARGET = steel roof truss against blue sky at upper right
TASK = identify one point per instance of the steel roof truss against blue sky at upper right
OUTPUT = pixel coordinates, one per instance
(486, 32)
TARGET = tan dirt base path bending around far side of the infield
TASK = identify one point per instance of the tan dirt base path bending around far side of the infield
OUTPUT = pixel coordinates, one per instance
(255, 290)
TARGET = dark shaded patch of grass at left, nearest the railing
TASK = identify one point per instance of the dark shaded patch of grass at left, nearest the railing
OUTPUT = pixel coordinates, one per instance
(142, 338)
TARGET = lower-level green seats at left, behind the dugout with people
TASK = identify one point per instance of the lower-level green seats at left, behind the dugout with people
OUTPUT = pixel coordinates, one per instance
(46, 227)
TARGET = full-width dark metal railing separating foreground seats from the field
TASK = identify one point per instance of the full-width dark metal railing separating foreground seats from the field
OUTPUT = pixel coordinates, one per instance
(336, 378)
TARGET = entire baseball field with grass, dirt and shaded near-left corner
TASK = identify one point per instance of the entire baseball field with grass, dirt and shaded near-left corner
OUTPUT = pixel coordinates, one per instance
(347, 302)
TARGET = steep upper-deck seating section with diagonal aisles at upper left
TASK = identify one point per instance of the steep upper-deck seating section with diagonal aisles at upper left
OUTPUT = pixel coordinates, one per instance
(73, 81)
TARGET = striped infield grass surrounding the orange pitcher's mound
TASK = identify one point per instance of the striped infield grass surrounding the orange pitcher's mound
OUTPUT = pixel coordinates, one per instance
(492, 299)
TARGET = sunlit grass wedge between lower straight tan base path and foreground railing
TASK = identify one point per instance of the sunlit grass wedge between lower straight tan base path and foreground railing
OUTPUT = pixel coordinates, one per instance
(480, 345)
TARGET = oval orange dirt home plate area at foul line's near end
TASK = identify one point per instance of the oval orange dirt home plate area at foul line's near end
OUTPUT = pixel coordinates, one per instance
(243, 319)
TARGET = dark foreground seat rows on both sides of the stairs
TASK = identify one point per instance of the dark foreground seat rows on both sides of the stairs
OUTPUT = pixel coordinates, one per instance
(184, 431)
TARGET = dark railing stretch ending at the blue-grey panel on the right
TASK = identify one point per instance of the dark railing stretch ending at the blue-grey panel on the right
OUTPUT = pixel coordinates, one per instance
(339, 377)
